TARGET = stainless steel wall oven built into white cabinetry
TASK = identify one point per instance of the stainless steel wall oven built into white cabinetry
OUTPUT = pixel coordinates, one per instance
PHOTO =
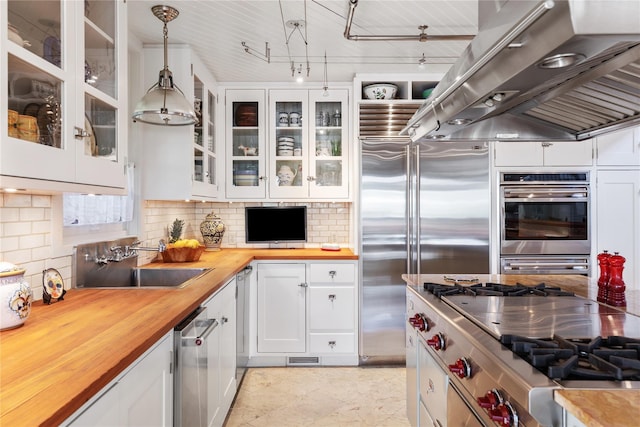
(545, 223)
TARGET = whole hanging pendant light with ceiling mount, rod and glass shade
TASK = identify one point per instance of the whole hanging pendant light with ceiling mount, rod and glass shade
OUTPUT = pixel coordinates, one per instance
(164, 103)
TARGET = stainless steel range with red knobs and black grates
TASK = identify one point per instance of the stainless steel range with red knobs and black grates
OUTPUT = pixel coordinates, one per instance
(503, 350)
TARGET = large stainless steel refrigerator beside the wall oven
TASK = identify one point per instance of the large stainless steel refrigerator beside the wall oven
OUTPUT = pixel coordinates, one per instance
(424, 208)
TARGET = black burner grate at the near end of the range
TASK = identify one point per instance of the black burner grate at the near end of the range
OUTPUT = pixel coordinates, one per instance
(612, 358)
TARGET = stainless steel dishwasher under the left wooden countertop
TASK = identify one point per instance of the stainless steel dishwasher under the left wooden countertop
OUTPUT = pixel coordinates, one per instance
(191, 362)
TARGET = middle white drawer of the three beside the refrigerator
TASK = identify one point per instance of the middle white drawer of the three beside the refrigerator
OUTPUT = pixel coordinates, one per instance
(331, 308)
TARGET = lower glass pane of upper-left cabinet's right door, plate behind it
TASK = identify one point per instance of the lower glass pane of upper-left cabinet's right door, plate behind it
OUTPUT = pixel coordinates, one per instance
(100, 127)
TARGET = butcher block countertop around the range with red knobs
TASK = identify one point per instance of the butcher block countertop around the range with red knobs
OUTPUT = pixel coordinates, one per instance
(594, 408)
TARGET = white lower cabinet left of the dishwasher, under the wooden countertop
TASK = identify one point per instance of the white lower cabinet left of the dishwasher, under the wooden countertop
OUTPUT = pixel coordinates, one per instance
(141, 395)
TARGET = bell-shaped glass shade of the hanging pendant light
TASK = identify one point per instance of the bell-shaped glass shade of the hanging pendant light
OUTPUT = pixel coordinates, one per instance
(165, 104)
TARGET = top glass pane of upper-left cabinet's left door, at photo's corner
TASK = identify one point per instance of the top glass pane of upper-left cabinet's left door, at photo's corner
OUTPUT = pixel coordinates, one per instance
(35, 25)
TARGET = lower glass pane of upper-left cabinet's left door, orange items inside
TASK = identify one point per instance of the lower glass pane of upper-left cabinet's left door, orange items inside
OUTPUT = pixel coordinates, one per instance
(34, 104)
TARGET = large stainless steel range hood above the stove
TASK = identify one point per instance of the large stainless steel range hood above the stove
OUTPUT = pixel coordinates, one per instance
(552, 70)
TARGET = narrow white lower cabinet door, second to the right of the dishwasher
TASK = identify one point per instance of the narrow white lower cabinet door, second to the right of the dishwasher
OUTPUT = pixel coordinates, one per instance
(227, 347)
